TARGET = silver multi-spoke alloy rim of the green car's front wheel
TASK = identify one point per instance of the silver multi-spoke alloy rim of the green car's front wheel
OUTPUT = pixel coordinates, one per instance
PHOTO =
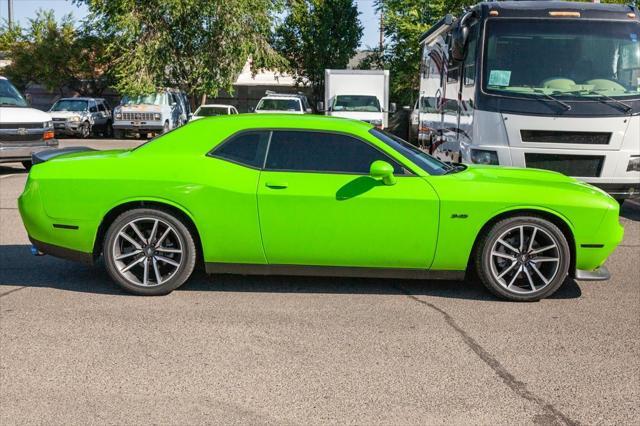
(525, 259)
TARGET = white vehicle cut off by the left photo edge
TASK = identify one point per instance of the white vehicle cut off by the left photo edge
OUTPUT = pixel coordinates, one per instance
(23, 130)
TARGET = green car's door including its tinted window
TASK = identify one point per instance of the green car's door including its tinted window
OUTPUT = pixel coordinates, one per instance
(318, 205)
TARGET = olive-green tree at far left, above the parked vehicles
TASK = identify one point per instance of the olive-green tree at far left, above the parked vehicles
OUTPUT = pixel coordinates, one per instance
(56, 55)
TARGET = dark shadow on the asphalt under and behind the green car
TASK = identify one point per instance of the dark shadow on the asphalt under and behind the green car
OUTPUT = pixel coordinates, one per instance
(18, 268)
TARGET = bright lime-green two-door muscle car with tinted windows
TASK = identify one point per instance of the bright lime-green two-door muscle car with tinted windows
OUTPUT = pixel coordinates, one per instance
(313, 195)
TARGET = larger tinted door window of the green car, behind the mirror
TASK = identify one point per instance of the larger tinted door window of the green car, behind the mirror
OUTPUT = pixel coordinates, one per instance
(311, 151)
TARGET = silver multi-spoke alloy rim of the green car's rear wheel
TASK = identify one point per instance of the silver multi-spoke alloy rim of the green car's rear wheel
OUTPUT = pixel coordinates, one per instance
(148, 251)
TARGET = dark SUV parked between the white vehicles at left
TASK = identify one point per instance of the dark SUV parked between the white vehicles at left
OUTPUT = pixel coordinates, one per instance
(81, 117)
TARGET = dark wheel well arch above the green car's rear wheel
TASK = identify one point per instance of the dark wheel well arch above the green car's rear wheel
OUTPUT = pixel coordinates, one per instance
(117, 211)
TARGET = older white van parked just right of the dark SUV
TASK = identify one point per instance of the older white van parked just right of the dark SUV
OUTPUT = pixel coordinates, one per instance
(153, 113)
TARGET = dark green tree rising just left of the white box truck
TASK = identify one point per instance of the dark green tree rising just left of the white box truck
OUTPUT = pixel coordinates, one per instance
(315, 35)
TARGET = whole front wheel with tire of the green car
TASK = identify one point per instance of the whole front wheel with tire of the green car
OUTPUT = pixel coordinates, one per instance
(523, 258)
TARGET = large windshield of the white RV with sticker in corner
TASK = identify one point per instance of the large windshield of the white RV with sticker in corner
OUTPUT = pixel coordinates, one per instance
(567, 59)
